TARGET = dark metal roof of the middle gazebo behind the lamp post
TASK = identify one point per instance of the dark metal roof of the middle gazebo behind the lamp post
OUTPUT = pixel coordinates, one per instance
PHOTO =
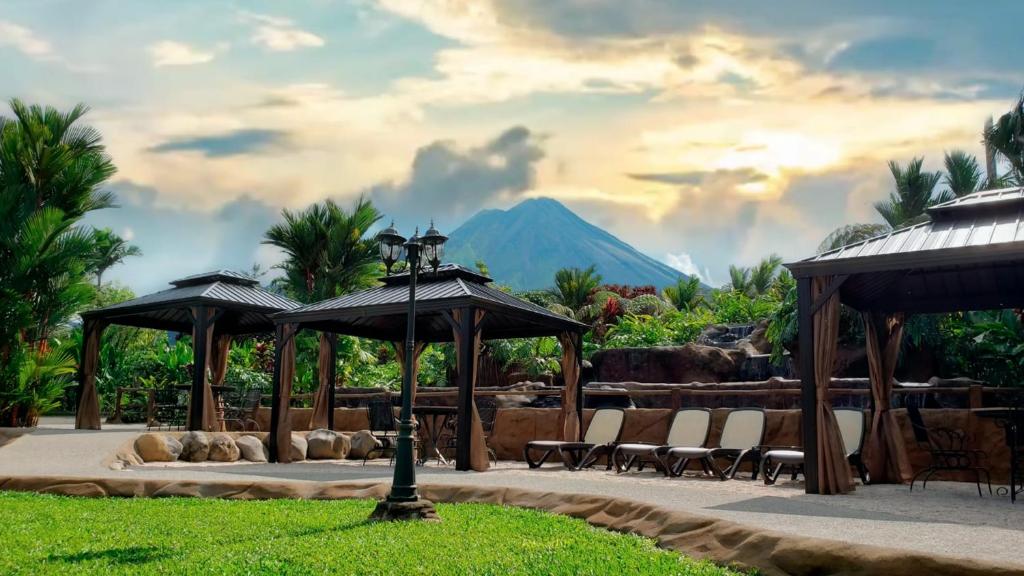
(380, 313)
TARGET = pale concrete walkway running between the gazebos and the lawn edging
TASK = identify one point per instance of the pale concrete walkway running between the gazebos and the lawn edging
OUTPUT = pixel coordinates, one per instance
(949, 519)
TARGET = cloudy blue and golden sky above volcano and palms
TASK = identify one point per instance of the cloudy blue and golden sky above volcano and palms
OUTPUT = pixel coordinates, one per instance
(704, 134)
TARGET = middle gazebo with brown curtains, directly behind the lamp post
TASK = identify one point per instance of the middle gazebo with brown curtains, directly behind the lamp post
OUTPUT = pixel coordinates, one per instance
(454, 305)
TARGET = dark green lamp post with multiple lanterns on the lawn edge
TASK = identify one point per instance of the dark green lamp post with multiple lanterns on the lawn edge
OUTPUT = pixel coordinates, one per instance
(404, 502)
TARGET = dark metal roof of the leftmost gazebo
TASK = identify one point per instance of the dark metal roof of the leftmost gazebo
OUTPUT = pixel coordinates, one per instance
(246, 308)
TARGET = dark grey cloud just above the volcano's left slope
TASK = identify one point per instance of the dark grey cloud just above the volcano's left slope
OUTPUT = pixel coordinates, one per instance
(449, 184)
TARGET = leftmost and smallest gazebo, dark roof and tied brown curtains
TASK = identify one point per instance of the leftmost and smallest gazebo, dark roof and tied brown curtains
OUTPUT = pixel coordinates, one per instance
(214, 307)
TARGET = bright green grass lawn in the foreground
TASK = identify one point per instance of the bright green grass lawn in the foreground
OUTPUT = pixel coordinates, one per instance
(44, 534)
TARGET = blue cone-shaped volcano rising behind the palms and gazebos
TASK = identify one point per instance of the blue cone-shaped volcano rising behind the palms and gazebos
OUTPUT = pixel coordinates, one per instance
(527, 244)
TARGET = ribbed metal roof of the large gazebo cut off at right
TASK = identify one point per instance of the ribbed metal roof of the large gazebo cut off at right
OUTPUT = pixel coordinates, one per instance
(969, 256)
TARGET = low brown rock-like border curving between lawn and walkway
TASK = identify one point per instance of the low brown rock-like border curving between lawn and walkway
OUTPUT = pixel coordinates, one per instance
(726, 543)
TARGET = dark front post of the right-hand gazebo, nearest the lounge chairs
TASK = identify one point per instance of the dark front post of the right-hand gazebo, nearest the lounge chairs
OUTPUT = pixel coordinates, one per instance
(808, 391)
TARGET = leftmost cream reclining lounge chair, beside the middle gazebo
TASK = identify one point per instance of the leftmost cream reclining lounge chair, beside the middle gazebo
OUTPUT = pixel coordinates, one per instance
(603, 434)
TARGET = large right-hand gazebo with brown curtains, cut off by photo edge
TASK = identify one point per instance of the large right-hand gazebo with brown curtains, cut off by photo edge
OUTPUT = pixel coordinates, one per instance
(968, 256)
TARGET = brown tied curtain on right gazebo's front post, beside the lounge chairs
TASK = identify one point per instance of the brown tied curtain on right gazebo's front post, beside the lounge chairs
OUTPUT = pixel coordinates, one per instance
(834, 471)
